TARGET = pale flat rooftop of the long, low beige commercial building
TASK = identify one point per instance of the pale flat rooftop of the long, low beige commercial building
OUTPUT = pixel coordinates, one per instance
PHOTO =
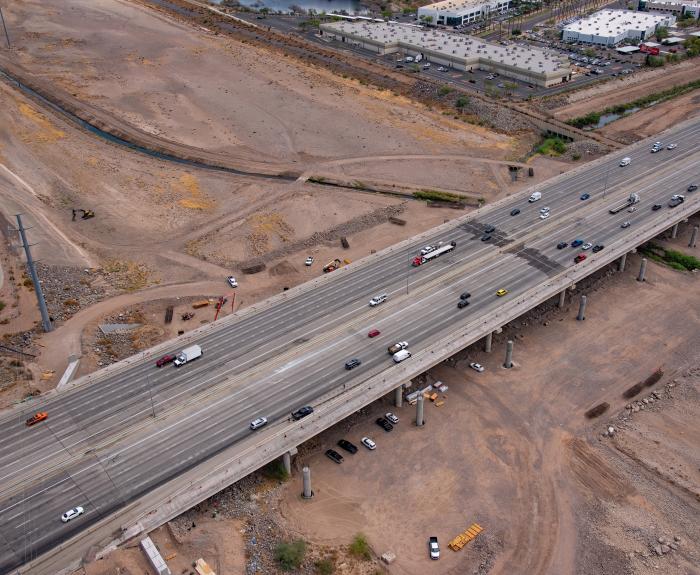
(453, 45)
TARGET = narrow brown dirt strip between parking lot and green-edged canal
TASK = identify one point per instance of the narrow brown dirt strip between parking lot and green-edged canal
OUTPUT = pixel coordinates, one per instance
(625, 89)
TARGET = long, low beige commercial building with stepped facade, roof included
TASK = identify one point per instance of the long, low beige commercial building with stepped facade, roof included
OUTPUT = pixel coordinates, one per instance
(456, 51)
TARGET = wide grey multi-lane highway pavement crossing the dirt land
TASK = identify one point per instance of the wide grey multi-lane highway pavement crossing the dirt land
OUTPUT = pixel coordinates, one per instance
(108, 442)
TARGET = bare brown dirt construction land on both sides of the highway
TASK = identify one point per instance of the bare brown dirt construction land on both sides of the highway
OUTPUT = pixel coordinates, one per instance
(157, 154)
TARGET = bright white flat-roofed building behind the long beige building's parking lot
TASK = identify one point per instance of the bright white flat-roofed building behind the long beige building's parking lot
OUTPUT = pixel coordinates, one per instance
(610, 27)
